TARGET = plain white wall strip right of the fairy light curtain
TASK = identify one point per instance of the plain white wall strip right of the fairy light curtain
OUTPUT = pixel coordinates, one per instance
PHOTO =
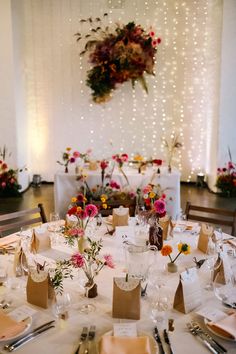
(227, 127)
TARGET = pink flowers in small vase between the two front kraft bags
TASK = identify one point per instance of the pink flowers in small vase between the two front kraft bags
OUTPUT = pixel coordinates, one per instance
(92, 263)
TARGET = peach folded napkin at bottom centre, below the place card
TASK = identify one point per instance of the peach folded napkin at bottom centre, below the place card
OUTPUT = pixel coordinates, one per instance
(124, 345)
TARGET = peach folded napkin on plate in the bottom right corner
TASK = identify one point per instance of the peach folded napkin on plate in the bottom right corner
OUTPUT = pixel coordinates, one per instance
(225, 327)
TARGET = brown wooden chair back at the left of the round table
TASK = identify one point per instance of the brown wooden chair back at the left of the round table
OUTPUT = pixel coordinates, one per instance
(12, 222)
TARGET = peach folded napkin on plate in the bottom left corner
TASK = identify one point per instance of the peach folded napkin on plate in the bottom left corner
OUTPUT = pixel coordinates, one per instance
(10, 328)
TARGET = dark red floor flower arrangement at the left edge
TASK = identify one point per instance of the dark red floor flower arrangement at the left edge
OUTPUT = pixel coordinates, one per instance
(9, 185)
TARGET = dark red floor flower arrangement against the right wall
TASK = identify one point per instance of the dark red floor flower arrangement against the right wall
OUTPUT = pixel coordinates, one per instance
(226, 178)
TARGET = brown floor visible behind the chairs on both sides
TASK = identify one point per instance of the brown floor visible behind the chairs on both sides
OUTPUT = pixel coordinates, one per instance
(44, 194)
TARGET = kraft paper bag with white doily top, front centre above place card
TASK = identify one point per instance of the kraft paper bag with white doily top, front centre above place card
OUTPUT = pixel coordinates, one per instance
(126, 298)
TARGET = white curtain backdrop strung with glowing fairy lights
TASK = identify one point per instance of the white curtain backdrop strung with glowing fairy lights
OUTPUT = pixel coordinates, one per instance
(182, 98)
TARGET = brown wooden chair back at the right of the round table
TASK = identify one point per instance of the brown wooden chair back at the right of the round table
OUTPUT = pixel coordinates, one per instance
(220, 217)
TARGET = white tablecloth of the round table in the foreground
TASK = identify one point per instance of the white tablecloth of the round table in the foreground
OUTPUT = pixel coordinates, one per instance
(64, 339)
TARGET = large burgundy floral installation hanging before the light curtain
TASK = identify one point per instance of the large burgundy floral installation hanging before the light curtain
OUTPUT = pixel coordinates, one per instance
(123, 54)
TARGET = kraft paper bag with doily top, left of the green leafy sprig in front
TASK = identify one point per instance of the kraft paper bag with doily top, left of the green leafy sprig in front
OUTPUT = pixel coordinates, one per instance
(39, 290)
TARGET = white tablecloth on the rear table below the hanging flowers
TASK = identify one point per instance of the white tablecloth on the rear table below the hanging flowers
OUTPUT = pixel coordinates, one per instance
(66, 186)
